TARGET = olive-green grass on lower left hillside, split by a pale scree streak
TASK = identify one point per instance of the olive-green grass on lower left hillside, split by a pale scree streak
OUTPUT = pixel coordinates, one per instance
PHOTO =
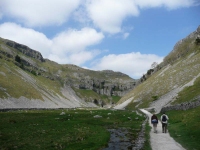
(16, 85)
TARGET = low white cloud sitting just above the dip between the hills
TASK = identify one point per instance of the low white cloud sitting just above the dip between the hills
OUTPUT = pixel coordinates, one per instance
(134, 64)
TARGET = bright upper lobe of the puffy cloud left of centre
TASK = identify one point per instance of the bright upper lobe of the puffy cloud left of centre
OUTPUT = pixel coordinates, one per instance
(76, 40)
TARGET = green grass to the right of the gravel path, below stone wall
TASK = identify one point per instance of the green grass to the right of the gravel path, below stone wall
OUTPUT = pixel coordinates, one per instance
(184, 127)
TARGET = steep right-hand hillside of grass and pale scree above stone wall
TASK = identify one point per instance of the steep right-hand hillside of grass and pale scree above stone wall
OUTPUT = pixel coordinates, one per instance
(178, 70)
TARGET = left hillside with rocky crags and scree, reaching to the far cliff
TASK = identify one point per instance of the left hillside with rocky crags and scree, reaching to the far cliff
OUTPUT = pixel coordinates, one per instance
(27, 80)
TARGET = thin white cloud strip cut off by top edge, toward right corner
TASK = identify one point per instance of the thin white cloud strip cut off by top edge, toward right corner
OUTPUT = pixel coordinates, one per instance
(169, 4)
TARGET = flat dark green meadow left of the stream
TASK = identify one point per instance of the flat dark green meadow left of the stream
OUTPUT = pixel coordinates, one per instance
(77, 129)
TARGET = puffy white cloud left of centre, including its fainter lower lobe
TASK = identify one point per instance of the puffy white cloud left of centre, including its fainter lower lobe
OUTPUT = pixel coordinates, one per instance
(73, 44)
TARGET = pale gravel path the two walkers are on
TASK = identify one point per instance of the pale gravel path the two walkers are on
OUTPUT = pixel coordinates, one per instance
(161, 141)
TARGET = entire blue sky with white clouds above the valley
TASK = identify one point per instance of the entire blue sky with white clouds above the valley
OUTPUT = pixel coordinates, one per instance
(120, 35)
